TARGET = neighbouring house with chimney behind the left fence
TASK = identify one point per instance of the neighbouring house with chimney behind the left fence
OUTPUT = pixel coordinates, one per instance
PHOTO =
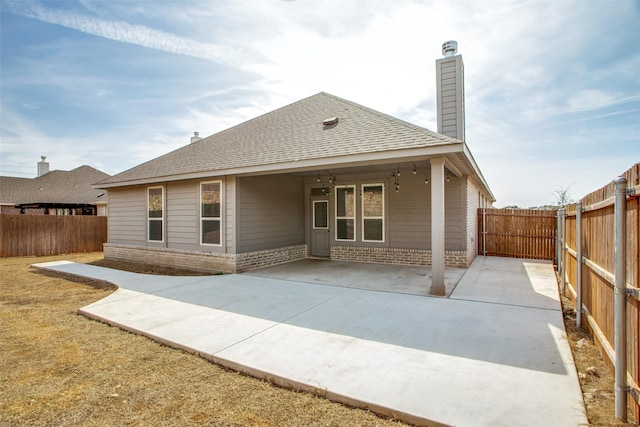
(54, 193)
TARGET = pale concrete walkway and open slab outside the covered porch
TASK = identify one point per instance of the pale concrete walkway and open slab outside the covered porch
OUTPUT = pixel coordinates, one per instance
(493, 354)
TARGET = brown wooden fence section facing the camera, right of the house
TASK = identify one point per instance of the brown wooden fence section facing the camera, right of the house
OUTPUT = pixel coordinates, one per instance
(517, 233)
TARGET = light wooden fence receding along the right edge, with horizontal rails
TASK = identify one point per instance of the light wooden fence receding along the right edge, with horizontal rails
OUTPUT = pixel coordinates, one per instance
(588, 272)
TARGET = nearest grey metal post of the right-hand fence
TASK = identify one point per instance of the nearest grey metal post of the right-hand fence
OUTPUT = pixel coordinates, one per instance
(620, 303)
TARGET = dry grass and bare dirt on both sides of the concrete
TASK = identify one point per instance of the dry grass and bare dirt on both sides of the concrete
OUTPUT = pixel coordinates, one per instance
(59, 368)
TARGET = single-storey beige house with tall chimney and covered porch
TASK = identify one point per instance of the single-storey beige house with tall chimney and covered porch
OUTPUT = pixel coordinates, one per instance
(322, 177)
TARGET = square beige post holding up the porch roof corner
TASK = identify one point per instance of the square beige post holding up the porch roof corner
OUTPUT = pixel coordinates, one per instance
(437, 227)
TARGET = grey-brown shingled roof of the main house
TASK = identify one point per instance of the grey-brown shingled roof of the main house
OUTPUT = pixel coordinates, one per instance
(292, 134)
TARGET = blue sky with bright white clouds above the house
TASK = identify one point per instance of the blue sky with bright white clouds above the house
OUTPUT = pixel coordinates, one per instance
(552, 87)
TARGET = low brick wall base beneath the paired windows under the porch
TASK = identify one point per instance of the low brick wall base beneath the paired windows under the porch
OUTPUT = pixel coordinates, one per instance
(400, 256)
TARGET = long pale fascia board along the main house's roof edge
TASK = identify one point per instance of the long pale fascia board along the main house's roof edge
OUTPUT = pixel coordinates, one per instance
(365, 159)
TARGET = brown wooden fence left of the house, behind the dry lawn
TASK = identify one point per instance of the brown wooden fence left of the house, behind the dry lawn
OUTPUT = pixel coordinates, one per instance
(40, 235)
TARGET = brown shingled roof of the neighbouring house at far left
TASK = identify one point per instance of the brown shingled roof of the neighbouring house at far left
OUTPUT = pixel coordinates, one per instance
(68, 187)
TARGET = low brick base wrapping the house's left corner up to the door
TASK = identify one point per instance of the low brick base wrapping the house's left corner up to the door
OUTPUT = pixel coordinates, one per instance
(204, 261)
